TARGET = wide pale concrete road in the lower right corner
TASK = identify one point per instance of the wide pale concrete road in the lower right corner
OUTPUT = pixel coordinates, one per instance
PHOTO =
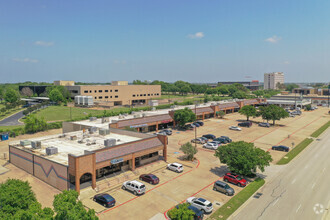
(300, 191)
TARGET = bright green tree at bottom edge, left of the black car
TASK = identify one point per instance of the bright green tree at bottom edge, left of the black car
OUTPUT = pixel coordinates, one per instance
(67, 206)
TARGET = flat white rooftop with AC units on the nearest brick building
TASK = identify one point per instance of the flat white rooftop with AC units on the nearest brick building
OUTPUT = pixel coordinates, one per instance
(66, 146)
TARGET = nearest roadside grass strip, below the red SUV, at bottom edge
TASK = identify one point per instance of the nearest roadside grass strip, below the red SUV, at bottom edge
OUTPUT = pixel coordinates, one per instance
(235, 202)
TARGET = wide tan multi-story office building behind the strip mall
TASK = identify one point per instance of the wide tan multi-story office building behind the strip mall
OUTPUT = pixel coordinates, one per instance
(118, 93)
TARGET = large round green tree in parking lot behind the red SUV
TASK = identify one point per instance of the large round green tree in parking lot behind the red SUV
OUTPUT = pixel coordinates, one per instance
(243, 158)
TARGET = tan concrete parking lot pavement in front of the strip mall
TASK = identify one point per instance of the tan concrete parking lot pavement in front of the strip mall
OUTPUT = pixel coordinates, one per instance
(198, 177)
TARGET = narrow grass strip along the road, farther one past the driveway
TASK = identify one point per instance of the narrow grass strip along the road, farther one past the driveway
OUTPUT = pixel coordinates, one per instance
(302, 145)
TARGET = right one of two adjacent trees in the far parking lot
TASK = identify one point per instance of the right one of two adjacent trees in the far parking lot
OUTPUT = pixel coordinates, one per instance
(272, 112)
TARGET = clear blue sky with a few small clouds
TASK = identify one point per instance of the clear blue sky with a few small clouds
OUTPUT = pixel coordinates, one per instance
(169, 40)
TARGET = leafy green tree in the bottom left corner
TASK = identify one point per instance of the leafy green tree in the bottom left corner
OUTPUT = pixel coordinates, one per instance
(17, 201)
